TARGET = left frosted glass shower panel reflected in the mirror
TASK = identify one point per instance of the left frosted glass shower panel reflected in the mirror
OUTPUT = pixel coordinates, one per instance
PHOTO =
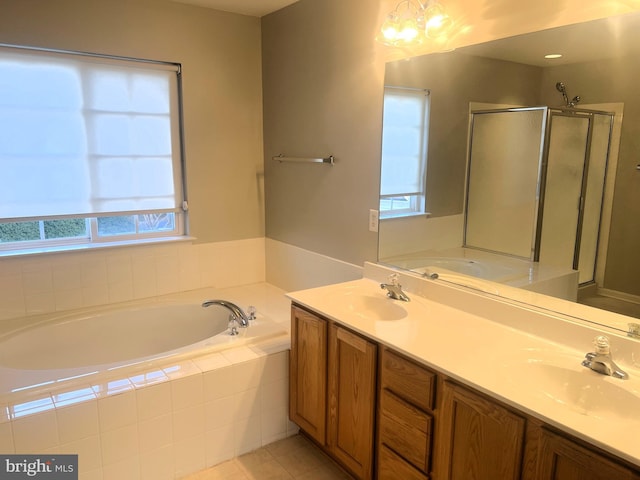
(502, 180)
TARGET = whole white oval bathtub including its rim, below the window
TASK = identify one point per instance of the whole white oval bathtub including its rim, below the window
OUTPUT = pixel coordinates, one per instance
(77, 349)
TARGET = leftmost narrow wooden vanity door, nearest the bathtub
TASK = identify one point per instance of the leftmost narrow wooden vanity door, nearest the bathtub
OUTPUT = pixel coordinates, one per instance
(308, 373)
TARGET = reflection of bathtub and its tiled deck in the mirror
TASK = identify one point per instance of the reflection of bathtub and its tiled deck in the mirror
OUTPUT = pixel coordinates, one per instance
(449, 264)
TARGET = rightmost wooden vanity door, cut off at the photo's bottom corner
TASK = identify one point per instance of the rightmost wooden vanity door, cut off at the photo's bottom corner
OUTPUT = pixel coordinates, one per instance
(562, 459)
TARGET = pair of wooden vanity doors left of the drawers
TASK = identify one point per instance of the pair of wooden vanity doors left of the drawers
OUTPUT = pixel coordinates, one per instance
(332, 389)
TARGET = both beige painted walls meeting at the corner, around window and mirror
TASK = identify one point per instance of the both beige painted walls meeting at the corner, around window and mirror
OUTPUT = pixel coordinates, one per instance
(322, 88)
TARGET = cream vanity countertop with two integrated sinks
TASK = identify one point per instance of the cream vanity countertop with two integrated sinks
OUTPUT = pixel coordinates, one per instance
(497, 357)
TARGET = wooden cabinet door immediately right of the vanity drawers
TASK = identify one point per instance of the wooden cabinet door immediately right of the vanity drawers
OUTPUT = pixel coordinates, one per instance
(478, 439)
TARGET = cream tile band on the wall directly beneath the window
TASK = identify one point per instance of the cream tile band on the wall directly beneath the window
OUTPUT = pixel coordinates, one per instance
(56, 282)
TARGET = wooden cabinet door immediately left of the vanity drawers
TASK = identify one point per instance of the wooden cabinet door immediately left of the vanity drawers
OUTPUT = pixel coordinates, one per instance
(352, 361)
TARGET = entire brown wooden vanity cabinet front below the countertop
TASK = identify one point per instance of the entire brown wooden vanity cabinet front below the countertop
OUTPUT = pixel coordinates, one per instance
(458, 434)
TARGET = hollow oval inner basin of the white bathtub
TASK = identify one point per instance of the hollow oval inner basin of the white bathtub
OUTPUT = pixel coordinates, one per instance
(111, 337)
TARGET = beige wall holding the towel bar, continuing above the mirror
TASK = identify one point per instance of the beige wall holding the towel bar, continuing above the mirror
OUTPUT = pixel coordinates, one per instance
(323, 77)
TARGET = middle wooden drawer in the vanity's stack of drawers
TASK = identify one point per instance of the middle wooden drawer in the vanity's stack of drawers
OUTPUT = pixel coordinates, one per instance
(405, 429)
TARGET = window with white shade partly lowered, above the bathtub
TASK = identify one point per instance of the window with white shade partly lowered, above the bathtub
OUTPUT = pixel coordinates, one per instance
(90, 149)
